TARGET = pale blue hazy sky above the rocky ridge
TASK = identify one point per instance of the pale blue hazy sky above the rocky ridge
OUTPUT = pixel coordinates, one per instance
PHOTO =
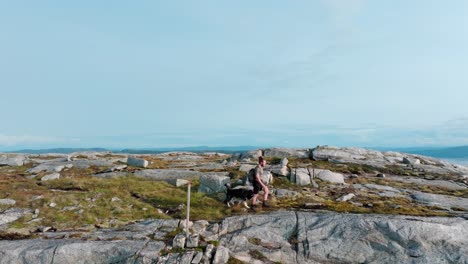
(149, 74)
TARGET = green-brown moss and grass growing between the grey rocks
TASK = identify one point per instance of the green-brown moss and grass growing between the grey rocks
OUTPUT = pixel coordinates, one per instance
(83, 202)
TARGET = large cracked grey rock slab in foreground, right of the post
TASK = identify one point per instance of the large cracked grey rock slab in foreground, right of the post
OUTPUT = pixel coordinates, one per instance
(347, 238)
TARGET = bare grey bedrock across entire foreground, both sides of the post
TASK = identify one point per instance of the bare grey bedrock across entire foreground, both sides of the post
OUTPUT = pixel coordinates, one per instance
(285, 237)
